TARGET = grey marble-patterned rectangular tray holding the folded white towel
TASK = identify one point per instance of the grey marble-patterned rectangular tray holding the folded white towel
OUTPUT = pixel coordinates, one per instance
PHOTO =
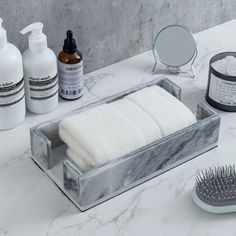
(91, 188)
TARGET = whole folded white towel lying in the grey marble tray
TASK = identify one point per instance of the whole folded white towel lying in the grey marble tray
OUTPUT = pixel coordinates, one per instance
(108, 131)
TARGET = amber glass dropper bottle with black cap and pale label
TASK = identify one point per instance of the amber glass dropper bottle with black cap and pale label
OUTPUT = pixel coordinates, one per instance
(70, 69)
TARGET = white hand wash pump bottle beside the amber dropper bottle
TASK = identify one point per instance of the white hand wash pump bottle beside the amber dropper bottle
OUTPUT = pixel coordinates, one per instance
(40, 72)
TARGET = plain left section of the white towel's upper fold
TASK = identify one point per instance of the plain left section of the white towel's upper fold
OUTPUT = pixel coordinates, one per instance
(100, 134)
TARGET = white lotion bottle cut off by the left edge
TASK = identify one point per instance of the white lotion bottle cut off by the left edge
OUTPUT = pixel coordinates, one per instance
(12, 95)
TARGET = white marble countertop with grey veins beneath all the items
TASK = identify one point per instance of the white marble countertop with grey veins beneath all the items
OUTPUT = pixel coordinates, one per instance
(30, 204)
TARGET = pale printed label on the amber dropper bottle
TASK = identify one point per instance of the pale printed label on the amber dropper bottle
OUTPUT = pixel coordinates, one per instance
(70, 80)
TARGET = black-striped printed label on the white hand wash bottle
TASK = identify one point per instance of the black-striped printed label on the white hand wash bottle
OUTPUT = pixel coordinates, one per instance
(43, 88)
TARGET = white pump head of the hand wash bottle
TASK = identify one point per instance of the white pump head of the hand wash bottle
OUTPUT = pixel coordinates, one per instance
(37, 39)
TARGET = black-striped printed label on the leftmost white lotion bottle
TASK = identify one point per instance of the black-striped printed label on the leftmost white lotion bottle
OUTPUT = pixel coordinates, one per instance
(11, 93)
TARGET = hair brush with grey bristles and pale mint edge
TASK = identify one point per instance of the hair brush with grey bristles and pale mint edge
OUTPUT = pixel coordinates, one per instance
(215, 190)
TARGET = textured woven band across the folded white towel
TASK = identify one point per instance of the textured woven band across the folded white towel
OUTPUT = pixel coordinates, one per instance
(147, 126)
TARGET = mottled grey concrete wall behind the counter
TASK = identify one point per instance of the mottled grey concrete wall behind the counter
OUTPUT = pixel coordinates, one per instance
(110, 30)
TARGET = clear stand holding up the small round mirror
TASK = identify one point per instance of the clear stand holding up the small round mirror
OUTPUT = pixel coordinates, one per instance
(174, 70)
